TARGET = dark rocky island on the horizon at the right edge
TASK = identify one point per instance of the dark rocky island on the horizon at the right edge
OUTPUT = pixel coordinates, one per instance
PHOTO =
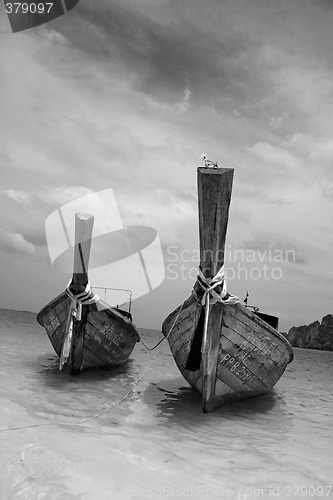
(316, 335)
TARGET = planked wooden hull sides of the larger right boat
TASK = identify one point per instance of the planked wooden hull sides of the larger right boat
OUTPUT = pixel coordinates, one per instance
(252, 355)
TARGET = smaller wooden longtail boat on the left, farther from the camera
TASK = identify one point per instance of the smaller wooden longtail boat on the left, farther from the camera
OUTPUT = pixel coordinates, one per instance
(84, 330)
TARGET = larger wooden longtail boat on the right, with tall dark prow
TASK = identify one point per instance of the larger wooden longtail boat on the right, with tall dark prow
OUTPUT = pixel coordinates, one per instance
(222, 348)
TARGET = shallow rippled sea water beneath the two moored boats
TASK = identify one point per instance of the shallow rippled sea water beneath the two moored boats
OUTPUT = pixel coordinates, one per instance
(138, 432)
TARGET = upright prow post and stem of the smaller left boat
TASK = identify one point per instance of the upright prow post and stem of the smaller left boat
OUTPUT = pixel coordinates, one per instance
(72, 346)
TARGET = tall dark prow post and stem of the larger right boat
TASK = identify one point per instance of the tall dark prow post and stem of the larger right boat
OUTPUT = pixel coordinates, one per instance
(214, 195)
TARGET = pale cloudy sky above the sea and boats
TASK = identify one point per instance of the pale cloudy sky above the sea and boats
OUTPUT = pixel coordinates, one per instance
(127, 95)
